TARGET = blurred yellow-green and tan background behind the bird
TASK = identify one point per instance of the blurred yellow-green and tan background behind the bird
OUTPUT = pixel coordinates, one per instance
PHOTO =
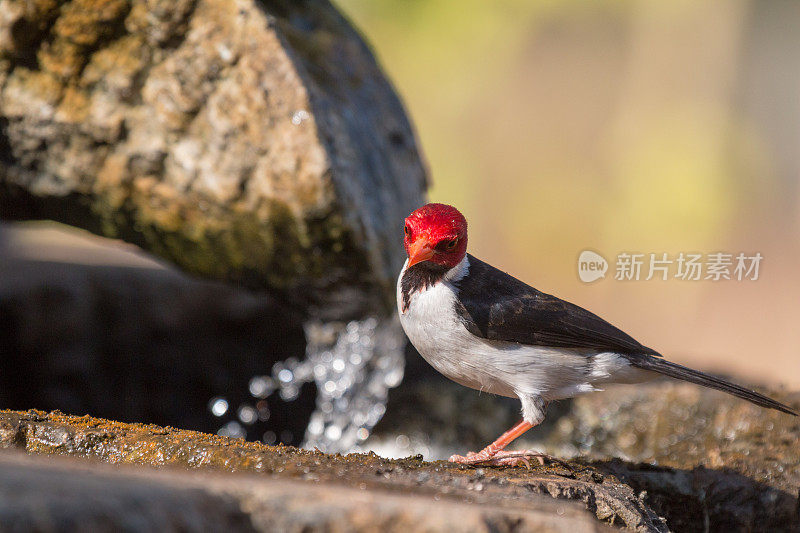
(618, 126)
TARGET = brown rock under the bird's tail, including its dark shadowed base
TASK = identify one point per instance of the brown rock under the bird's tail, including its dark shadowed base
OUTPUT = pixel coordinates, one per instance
(718, 460)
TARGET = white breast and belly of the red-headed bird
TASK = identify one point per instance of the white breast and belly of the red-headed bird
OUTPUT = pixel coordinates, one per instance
(504, 368)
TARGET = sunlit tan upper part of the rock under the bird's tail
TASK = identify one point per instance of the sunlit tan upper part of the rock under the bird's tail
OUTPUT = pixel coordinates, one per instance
(678, 425)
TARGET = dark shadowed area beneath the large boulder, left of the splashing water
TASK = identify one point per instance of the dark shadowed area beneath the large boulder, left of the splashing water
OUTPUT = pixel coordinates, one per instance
(142, 344)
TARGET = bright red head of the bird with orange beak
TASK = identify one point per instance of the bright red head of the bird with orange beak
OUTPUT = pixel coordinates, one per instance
(436, 233)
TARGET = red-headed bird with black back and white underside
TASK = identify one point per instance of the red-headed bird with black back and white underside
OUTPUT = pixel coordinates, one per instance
(487, 330)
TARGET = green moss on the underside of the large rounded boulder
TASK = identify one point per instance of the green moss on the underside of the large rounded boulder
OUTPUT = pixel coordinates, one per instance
(269, 250)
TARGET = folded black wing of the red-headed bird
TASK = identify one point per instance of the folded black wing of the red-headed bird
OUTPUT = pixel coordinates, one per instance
(496, 306)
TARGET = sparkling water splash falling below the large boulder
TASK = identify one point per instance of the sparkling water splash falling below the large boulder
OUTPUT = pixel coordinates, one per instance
(353, 366)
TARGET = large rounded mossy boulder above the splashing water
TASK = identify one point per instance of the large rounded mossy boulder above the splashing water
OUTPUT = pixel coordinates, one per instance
(253, 142)
